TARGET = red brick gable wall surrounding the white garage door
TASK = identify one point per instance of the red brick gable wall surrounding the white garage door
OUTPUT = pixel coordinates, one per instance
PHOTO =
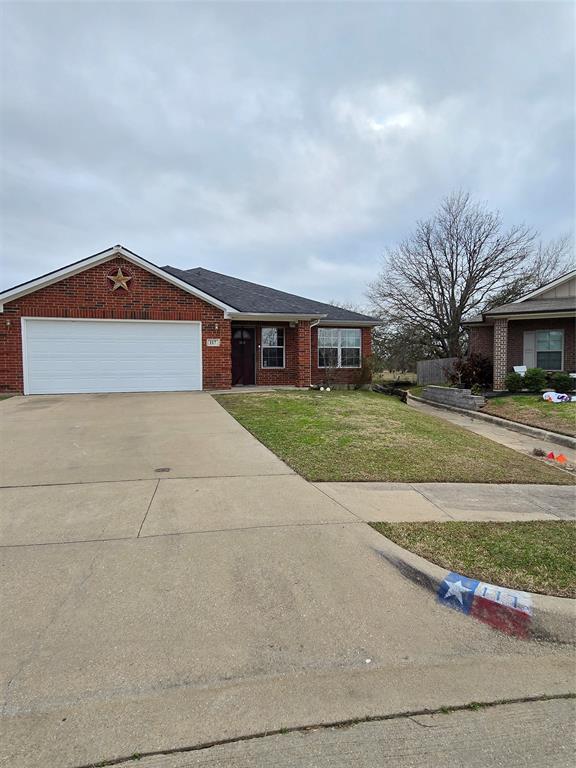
(88, 294)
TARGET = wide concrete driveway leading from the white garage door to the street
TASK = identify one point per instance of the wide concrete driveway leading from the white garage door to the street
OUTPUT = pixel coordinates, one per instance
(167, 582)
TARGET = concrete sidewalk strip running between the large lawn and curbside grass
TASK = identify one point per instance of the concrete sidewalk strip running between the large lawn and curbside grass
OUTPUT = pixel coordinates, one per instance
(414, 502)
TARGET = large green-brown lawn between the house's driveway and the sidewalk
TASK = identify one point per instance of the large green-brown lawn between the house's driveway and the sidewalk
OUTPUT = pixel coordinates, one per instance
(367, 436)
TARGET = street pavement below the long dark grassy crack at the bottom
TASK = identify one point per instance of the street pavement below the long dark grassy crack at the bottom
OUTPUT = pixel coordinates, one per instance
(538, 734)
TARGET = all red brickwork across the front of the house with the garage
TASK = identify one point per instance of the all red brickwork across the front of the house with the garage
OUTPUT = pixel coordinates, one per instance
(88, 294)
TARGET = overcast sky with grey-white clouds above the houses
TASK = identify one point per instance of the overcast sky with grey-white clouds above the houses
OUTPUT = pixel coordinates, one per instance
(288, 144)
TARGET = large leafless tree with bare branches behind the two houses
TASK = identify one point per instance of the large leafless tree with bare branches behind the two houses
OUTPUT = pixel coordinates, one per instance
(453, 265)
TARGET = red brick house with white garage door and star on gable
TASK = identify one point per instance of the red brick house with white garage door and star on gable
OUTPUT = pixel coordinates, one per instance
(114, 322)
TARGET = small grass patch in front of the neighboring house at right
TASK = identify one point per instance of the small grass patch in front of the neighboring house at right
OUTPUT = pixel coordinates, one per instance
(528, 409)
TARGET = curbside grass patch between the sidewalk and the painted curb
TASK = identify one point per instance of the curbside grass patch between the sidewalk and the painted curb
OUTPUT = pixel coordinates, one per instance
(532, 556)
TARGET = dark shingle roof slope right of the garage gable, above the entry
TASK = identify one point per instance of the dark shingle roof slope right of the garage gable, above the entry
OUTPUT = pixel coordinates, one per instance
(245, 296)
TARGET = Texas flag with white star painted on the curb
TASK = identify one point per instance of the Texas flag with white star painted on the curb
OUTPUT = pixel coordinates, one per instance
(508, 610)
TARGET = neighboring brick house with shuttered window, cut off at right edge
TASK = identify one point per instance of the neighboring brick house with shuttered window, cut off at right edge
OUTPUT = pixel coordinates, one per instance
(537, 331)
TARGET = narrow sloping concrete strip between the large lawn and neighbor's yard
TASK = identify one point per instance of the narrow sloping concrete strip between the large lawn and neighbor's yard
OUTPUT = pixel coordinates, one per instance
(502, 435)
